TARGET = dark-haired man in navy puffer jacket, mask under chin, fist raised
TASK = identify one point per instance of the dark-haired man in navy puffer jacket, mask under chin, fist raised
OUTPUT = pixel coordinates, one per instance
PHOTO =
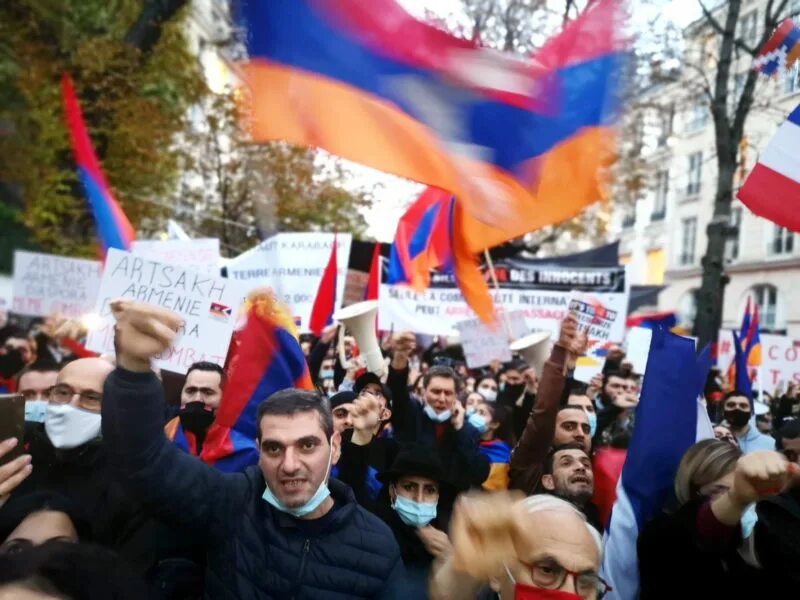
(278, 530)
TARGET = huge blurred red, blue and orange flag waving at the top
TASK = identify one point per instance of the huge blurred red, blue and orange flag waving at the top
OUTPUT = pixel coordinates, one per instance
(518, 143)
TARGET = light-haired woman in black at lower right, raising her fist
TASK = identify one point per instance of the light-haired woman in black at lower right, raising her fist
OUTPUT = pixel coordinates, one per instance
(696, 543)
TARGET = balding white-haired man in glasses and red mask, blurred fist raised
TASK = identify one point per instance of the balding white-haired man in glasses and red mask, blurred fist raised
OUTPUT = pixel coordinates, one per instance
(506, 548)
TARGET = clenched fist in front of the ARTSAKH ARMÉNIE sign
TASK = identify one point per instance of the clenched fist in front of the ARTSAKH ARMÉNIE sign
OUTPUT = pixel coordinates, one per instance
(142, 331)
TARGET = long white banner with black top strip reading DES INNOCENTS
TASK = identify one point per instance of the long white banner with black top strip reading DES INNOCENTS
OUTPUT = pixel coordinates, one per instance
(541, 293)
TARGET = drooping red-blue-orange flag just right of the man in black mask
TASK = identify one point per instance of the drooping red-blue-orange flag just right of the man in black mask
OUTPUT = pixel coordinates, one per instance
(265, 357)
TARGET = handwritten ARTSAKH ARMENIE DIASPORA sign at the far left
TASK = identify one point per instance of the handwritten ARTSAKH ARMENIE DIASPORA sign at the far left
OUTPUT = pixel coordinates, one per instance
(45, 284)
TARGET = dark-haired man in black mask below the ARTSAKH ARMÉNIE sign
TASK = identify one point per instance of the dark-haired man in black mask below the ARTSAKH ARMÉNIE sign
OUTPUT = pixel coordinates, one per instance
(200, 398)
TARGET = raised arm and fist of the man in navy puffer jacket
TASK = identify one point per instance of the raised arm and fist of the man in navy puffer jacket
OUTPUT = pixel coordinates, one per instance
(172, 484)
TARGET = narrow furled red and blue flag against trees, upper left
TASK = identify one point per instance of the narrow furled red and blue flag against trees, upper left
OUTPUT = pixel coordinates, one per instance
(113, 228)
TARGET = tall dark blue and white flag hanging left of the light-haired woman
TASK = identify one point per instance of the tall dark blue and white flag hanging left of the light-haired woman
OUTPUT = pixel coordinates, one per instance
(669, 419)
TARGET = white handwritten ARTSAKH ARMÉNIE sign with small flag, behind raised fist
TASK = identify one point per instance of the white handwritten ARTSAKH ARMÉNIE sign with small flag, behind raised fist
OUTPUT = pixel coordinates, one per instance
(208, 306)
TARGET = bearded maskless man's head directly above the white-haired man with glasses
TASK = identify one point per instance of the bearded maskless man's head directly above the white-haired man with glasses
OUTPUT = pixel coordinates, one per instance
(568, 475)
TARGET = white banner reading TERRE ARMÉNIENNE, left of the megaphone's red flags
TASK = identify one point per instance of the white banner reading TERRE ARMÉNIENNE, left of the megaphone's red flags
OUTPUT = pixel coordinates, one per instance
(292, 265)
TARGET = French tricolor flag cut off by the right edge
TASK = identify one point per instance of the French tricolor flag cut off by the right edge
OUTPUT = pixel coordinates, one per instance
(772, 190)
